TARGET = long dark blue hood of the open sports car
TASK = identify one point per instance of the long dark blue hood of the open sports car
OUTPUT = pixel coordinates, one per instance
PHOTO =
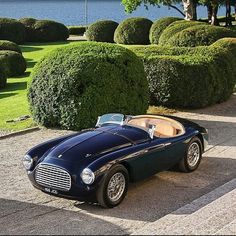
(88, 146)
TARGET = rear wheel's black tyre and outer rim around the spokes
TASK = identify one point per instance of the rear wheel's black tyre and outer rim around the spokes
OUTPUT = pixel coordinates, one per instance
(184, 165)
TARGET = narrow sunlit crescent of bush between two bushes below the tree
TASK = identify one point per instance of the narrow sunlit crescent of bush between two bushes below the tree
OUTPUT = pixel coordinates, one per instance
(175, 28)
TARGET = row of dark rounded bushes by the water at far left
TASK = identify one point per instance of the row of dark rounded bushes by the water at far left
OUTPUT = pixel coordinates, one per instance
(32, 30)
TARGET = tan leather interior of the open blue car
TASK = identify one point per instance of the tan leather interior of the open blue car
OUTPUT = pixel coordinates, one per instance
(164, 127)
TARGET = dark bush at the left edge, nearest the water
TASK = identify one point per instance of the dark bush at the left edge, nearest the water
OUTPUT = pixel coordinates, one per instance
(12, 30)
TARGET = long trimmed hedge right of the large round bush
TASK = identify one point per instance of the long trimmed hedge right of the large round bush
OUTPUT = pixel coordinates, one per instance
(190, 77)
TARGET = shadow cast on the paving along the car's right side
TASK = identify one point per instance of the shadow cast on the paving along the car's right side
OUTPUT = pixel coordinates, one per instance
(165, 192)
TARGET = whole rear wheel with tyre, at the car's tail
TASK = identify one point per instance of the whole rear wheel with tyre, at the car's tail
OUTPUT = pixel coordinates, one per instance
(192, 157)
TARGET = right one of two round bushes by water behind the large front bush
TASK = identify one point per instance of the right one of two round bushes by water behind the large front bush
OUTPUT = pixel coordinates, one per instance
(133, 31)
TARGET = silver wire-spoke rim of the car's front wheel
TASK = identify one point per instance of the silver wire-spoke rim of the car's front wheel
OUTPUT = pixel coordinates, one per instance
(116, 187)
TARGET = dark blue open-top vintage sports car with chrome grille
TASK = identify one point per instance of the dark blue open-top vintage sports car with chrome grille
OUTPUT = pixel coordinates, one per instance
(96, 165)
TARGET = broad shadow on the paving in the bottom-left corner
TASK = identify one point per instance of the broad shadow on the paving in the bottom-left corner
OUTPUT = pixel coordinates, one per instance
(17, 217)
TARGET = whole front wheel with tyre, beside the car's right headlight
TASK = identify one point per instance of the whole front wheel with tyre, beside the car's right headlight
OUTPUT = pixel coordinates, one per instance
(113, 187)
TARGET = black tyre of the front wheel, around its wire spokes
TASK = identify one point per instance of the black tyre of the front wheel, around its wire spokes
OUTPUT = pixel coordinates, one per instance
(102, 192)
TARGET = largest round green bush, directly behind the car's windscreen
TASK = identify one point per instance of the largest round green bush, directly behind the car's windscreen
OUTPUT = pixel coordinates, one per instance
(75, 84)
